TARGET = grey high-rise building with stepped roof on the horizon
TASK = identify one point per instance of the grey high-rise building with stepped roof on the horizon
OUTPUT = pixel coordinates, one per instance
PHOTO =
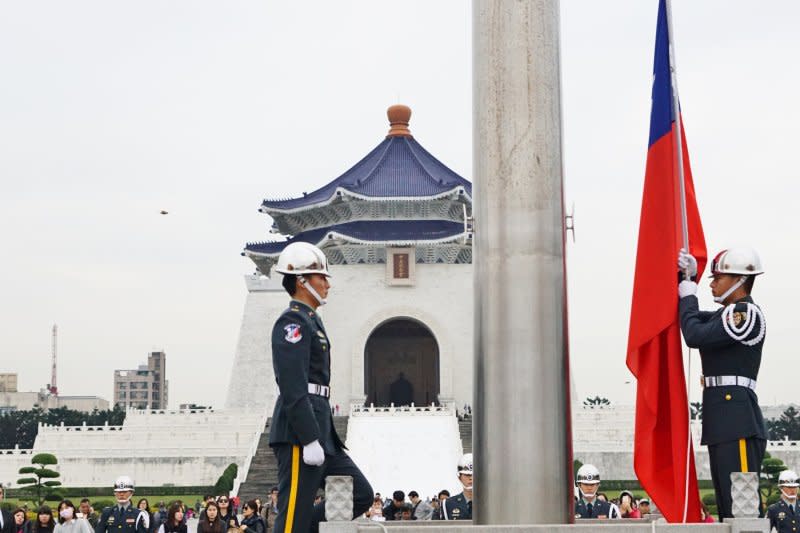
(145, 387)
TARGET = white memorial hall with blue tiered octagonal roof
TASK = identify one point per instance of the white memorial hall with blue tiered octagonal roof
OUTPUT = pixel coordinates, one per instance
(400, 308)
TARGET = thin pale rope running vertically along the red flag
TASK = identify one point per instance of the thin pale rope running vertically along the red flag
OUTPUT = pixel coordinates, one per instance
(684, 229)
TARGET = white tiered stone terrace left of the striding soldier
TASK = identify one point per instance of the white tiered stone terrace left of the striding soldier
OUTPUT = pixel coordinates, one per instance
(154, 447)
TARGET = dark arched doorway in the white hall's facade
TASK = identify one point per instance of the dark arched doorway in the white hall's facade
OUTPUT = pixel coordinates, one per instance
(401, 364)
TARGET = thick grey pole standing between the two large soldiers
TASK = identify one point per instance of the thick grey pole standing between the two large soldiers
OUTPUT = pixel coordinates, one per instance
(521, 434)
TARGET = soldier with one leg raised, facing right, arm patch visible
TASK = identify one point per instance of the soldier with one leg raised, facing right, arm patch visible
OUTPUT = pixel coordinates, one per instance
(302, 434)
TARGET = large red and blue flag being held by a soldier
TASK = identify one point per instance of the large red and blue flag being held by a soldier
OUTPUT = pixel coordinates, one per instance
(654, 339)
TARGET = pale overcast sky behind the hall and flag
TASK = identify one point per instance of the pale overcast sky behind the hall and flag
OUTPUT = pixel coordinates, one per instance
(112, 111)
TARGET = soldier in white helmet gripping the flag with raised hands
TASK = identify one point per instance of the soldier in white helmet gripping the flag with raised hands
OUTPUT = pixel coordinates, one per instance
(730, 341)
